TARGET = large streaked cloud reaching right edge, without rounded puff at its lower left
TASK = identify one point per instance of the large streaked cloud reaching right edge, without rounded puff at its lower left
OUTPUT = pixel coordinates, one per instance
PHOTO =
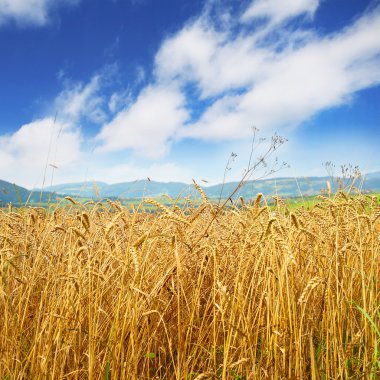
(275, 84)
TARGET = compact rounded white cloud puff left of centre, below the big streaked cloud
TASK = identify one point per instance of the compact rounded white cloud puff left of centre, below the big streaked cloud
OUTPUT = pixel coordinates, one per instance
(148, 125)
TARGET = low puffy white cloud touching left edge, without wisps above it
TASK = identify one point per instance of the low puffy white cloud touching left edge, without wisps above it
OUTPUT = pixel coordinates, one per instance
(25, 153)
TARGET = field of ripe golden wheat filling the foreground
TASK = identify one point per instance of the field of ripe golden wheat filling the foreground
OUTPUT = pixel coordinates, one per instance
(248, 292)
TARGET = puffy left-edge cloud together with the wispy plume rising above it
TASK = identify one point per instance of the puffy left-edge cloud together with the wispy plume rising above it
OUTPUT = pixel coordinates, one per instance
(57, 140)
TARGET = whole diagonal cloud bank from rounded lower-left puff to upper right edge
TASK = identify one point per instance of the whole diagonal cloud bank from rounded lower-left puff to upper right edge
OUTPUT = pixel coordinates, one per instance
(245, 78)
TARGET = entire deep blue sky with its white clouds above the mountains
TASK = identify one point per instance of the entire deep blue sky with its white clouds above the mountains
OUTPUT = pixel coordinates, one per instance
(116, 90)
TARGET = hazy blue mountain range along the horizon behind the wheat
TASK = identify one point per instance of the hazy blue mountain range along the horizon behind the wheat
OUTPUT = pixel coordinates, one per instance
(284, 186)
